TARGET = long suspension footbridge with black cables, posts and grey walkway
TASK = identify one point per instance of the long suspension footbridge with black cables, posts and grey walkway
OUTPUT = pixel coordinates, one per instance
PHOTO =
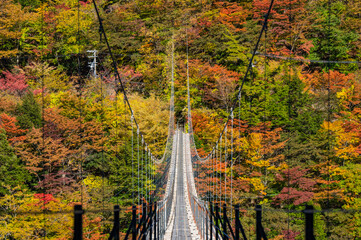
(181, 212)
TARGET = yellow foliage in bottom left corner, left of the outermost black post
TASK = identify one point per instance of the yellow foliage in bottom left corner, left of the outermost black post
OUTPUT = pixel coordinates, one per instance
(23, 217)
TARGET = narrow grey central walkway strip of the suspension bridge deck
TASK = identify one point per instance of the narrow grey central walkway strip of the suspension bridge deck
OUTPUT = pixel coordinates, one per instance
(181, 228)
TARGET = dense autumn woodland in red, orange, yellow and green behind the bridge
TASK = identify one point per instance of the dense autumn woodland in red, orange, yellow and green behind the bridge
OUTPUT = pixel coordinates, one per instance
(67, 137)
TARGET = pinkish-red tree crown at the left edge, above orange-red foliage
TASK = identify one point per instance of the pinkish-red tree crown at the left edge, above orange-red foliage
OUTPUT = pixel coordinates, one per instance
(13, 83)
